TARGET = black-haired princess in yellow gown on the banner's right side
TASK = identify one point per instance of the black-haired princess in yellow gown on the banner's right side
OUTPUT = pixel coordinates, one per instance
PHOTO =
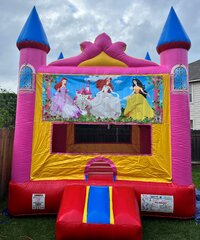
(137, 106)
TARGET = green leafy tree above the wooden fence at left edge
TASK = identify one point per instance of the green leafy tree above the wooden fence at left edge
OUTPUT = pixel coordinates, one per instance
(8, 102)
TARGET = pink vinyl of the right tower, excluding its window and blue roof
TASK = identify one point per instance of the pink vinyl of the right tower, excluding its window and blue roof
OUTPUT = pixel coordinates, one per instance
(180, 122)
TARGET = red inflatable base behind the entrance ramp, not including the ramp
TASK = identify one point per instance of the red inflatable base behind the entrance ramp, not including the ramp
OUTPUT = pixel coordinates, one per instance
(20, 196)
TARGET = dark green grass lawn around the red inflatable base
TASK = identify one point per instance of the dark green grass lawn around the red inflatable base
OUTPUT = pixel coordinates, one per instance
(43, 228)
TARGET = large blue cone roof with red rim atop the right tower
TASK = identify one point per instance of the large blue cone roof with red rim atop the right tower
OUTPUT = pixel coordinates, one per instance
(173, 34)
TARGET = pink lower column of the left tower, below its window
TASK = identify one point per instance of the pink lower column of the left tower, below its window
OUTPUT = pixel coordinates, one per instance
(22, 148)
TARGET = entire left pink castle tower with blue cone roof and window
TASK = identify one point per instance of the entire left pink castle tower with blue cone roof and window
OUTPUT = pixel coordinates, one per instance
(33, 45)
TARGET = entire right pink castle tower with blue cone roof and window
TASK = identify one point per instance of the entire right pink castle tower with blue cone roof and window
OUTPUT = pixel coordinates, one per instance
(173, 48)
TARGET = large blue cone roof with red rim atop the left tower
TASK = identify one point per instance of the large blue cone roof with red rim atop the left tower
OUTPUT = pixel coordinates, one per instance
(32, 34)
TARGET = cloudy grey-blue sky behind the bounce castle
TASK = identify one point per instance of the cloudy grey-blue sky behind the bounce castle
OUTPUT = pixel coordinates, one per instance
(68, 23)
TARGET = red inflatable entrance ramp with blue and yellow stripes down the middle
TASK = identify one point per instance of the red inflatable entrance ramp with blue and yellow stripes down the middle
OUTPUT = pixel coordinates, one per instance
(101, 212)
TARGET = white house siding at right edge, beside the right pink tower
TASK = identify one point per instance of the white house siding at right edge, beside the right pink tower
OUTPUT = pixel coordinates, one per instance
(195, 105)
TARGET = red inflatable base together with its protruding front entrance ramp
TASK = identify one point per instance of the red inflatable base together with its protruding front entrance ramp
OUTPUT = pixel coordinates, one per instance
(68, 199)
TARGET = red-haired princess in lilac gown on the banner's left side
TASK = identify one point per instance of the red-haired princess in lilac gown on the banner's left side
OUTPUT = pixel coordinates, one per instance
(62, 104)
